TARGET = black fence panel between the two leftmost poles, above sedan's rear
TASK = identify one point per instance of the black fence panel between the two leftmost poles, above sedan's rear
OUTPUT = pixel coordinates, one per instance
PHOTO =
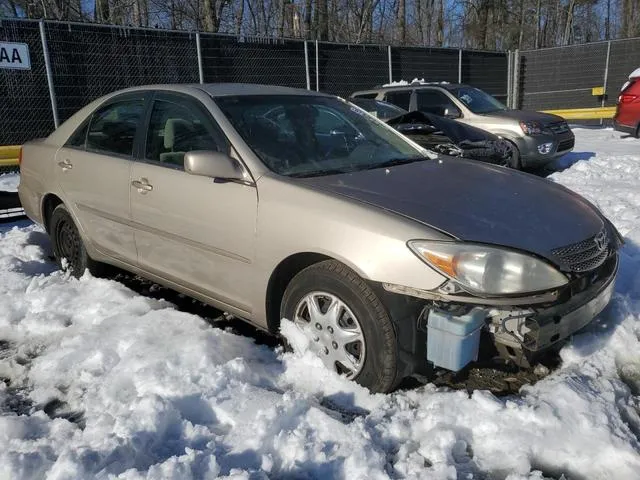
(90, 61)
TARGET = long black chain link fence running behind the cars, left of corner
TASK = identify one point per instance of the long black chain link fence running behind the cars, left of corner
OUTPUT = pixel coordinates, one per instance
(86, 61)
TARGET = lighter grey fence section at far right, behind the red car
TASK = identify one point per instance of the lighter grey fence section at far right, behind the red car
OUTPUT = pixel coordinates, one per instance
(563, 77)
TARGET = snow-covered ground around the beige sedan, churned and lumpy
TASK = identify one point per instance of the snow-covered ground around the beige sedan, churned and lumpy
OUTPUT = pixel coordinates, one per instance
(104, 383)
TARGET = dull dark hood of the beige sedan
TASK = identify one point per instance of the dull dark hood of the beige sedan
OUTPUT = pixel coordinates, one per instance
(474, 202)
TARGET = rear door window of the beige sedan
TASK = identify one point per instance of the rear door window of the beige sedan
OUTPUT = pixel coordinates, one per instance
(113, 128)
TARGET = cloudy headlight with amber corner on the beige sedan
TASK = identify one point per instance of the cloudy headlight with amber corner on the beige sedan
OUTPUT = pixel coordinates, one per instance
(488, 270)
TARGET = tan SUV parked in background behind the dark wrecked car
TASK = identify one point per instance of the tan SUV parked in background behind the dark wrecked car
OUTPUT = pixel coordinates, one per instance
(536, 138)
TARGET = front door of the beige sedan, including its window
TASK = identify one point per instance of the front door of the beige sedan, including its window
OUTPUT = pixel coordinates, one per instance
(191, 230)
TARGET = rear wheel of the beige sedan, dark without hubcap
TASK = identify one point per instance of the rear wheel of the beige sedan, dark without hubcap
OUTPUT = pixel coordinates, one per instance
(68, 247)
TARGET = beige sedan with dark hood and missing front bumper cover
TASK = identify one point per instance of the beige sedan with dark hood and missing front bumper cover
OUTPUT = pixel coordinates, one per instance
(272, 203)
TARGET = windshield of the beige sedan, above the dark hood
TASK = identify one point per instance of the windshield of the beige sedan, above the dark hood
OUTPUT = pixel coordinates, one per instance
(297, 135)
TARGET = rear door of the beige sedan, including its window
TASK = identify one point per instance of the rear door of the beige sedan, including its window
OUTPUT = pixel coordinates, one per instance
(93, 170)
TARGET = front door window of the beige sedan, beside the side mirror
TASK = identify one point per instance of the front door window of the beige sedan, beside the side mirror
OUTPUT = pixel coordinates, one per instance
(175, 129)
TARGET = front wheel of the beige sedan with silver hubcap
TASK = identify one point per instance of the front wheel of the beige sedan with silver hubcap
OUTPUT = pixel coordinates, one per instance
(345, 322)
